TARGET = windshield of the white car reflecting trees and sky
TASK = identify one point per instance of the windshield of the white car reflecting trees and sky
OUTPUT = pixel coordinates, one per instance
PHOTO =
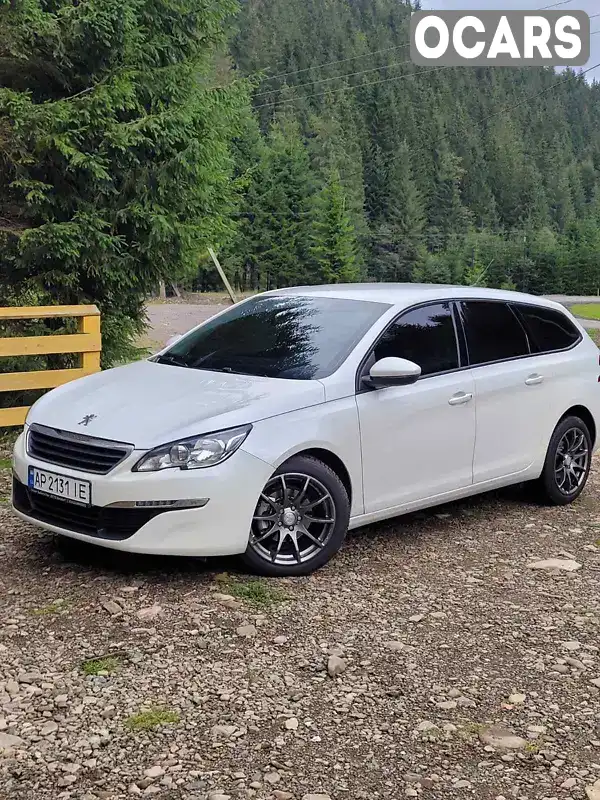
(300, 338)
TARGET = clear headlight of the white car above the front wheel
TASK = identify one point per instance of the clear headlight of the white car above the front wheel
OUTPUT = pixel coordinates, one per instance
(195, 452)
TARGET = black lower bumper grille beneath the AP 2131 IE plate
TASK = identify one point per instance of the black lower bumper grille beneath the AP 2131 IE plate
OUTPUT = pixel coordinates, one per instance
(104, 523)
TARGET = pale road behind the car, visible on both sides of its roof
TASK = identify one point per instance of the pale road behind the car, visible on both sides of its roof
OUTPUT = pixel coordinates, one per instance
(167, 319)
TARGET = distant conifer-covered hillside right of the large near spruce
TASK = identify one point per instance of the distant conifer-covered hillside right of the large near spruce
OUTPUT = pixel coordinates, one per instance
(360, 165)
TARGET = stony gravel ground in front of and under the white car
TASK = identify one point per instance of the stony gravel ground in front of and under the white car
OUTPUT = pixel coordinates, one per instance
(428, 660)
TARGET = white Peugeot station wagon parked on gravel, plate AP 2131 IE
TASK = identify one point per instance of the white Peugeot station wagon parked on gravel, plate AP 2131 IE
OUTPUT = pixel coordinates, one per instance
(277, 425)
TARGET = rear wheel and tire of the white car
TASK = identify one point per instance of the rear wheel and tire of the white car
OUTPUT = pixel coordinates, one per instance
(560, 483)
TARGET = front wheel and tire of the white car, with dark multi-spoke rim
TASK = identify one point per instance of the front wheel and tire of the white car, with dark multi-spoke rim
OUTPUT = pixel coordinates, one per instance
(286, 537)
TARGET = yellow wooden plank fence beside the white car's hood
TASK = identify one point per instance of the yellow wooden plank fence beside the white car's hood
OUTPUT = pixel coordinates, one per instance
(87, 342)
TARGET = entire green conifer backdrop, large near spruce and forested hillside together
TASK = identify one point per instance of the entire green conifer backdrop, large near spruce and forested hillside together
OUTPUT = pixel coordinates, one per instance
(297, 139)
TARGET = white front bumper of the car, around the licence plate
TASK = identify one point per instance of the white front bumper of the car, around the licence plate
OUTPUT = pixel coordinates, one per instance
(220, 527)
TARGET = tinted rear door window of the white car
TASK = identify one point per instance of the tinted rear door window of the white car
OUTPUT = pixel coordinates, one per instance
(493, 332)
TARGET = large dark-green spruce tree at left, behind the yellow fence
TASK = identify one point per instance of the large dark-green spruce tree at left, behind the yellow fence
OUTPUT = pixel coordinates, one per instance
(114, 148)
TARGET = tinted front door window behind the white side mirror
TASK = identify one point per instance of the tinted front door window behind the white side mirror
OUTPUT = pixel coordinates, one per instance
(425, 335)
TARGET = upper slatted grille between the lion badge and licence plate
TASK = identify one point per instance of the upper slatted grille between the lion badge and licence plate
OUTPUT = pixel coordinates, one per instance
(75, 450)
